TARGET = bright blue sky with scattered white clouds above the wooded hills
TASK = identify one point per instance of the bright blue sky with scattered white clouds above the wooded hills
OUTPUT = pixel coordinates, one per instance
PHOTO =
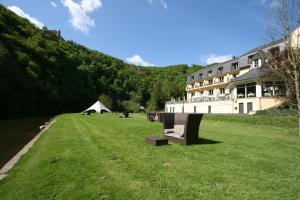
(158, 32)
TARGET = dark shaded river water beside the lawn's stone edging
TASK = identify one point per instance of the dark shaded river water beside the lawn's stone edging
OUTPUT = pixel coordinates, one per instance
(16, 133)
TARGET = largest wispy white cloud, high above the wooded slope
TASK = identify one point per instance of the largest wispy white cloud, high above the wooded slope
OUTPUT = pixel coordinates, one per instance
(78, 11)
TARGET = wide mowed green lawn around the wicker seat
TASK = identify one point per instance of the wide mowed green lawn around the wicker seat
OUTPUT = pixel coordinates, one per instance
(106, 157)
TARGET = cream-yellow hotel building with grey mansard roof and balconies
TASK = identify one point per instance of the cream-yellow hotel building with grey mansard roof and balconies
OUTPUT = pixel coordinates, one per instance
(237, 86)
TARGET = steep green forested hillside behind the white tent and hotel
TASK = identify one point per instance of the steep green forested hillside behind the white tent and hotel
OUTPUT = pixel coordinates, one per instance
(41, 73)
